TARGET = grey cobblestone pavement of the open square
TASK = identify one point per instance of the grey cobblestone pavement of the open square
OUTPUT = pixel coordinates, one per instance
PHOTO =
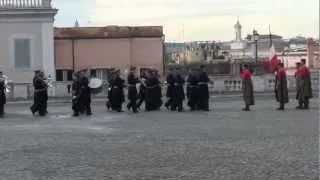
(225, 144)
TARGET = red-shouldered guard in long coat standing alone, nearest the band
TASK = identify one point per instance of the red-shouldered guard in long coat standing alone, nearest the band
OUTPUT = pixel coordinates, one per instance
(247, 88)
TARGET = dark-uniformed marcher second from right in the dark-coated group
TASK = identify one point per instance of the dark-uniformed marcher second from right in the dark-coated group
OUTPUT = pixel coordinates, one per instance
(192, 90)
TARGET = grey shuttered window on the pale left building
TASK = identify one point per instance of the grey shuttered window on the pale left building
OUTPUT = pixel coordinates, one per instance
(22, 53)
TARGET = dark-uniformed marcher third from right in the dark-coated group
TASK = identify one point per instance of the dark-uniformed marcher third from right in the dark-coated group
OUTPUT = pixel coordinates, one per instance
(178, 94)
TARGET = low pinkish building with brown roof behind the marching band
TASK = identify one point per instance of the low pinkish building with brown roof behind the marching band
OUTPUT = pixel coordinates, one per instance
(101, 49)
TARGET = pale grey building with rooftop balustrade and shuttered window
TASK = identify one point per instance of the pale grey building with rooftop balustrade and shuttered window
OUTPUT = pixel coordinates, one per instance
(26, 37)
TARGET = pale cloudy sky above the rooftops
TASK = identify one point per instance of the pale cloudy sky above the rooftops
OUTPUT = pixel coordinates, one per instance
(201, 20)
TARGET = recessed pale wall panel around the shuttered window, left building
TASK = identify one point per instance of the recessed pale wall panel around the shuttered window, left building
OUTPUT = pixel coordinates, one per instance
(8, 31)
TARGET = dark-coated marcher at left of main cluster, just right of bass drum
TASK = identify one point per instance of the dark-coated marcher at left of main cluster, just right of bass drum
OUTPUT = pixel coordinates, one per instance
(117, 94)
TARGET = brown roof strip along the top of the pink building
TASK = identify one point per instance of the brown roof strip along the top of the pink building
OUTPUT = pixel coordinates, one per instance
(108, 32)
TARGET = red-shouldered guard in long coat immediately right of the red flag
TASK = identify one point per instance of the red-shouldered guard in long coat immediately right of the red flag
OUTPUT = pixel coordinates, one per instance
(281, 87)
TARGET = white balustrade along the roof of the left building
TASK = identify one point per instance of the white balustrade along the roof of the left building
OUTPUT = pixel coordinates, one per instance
(16, 4)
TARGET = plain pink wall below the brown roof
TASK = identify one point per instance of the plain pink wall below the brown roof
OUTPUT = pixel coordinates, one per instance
(108, 53)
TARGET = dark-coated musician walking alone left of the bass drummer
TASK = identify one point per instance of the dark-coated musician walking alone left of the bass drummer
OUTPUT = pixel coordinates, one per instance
(40, 88)
